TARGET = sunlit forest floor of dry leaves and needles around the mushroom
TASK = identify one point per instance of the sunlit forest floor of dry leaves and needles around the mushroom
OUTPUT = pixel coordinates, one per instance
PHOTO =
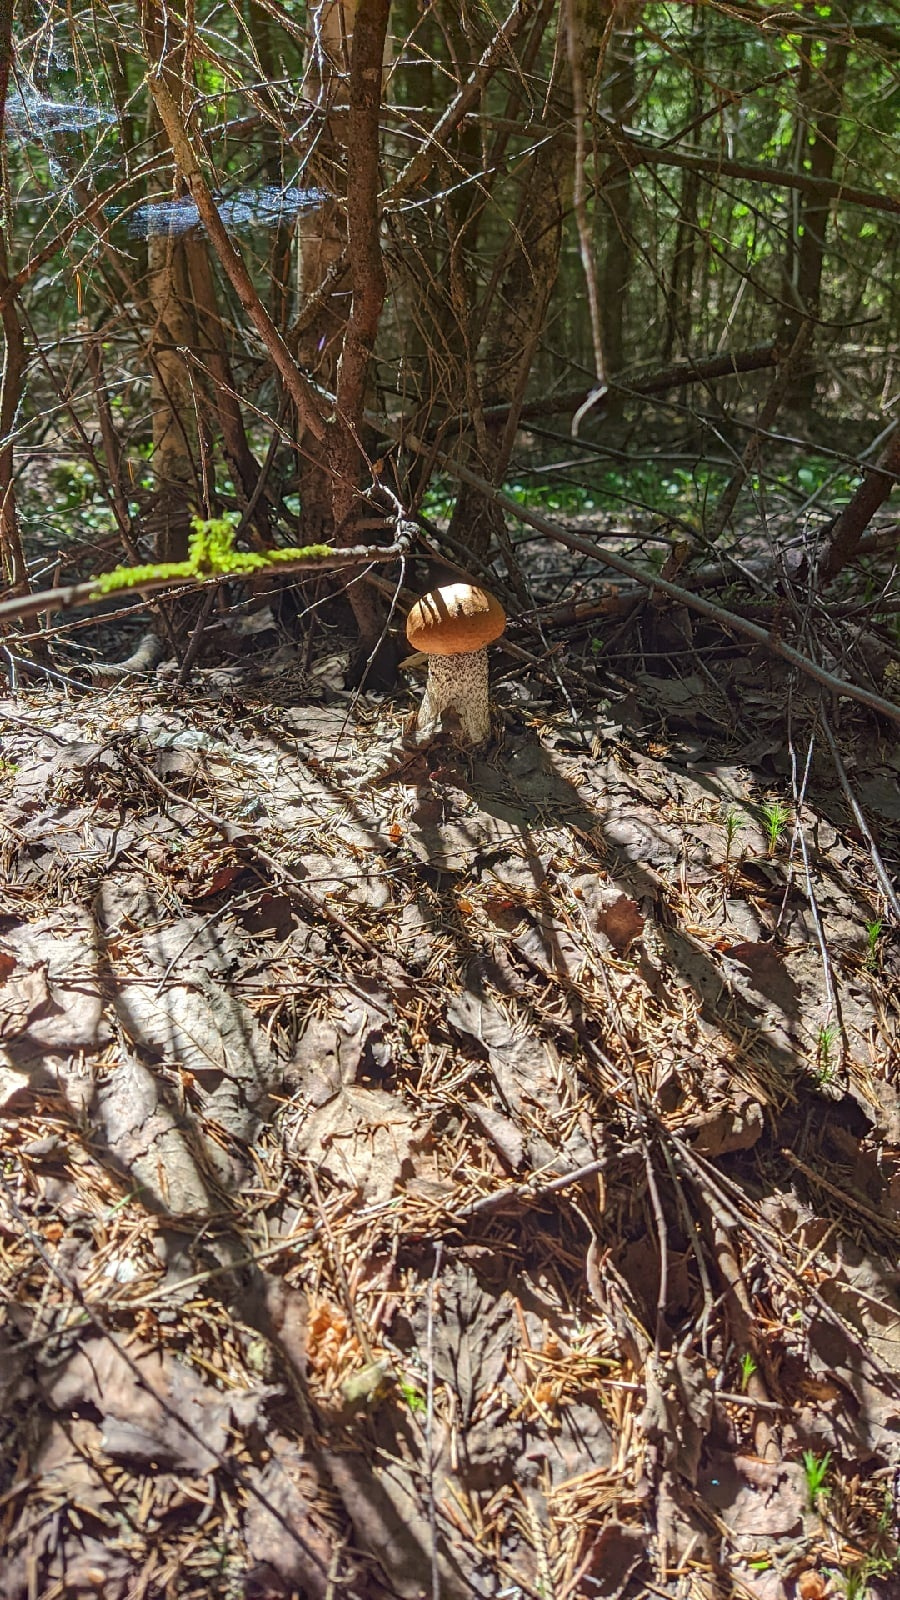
(440, 1175)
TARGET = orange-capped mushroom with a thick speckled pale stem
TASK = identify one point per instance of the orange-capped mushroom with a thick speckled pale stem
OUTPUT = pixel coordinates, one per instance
(454, 626)
